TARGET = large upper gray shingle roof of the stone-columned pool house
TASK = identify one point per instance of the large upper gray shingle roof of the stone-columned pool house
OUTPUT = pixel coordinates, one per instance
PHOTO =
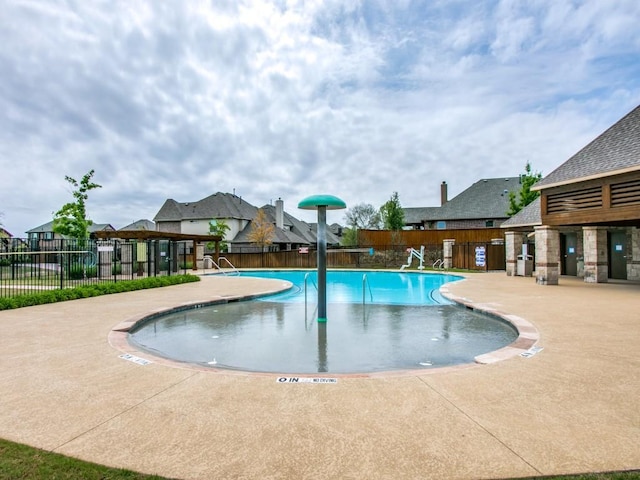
(616, 149)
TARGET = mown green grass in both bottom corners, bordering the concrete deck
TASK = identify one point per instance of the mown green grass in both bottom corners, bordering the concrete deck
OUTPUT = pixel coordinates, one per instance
(26, 463)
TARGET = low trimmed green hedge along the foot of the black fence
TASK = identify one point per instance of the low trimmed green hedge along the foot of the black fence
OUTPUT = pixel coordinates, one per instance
(93, 290)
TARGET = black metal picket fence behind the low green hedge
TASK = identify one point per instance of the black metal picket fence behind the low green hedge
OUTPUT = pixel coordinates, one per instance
(28, 266)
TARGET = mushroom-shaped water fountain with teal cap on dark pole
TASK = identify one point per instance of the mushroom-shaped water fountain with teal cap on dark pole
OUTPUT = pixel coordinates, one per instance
(322, 203)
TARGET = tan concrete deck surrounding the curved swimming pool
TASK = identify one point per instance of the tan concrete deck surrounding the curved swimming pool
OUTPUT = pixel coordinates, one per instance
(573, 407)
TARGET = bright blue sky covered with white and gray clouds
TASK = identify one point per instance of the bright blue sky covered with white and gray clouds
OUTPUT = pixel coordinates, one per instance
(359, 99)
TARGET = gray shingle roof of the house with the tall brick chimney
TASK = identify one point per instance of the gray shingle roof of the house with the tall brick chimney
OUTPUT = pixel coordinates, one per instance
(486, 199)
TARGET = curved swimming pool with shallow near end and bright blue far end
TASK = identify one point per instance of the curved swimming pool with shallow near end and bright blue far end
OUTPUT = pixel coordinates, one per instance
(279, 333)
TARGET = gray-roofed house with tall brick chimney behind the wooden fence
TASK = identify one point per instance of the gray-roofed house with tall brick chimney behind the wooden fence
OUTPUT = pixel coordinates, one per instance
(483, 205)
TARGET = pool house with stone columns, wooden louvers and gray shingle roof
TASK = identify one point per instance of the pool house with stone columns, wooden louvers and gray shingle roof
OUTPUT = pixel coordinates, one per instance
(587, 222)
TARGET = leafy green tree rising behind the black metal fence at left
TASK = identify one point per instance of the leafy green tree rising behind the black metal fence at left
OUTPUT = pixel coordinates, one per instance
(71, 220)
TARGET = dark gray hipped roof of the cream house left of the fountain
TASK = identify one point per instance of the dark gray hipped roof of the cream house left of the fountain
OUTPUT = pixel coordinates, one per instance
(218, 205)
